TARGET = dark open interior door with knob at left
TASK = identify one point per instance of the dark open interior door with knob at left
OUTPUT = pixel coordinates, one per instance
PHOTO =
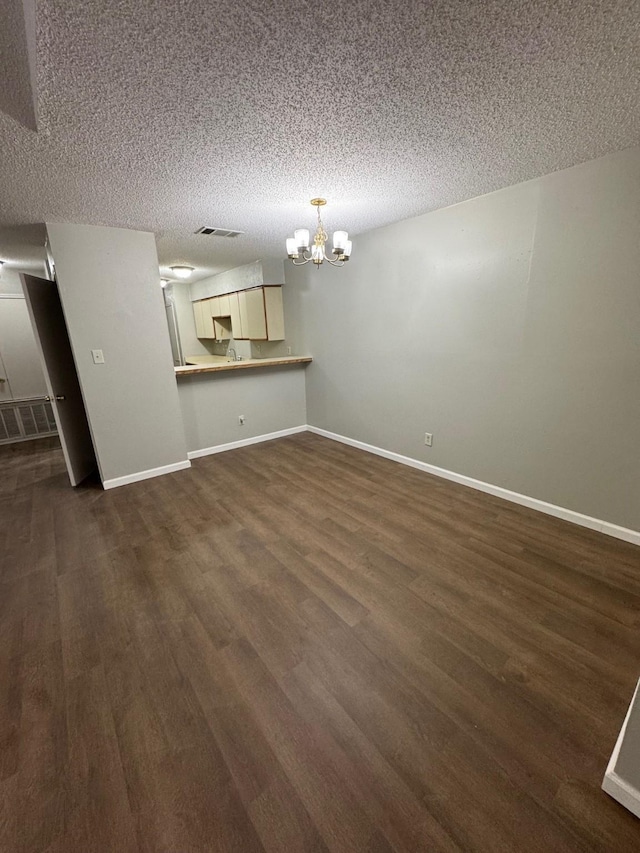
(47, 318)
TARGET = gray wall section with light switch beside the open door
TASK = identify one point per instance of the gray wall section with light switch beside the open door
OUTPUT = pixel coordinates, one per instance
(112, 299)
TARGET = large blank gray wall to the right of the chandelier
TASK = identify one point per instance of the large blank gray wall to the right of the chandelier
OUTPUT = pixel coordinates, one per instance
(508, 326)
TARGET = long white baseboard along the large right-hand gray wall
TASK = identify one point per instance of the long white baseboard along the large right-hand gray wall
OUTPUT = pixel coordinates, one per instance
(607, 527)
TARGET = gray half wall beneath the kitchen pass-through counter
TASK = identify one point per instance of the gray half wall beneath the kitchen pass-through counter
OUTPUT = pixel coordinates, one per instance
(271, 399)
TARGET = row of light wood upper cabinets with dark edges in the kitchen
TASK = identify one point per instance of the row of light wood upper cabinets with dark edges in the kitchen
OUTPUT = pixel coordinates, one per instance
(255, 314)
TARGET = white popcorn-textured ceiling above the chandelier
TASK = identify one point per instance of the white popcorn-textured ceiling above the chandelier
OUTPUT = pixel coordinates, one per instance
(166, 116)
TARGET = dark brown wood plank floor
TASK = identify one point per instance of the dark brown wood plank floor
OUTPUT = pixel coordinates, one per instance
(298, 646)
